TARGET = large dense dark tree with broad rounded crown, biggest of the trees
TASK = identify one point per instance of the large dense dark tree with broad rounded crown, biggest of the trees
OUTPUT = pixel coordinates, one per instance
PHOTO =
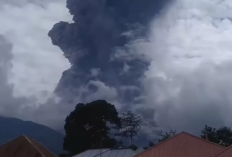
(90, 126)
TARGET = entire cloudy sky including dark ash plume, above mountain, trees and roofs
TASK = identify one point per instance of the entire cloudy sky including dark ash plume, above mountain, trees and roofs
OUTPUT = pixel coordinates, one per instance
(177, 72)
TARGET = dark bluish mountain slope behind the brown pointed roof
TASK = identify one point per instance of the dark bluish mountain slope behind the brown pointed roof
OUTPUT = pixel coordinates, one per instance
(11, 128)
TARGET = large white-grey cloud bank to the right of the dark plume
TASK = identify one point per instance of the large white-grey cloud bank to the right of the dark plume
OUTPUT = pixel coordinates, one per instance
(189, 80)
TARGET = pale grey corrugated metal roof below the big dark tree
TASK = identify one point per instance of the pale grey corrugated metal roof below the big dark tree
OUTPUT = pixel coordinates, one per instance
(107, 153)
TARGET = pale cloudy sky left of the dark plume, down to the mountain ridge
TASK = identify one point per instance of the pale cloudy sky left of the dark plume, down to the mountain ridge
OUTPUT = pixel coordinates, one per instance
(36, 65)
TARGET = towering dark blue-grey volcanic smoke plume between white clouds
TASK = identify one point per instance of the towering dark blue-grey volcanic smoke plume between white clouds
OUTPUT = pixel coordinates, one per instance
(93, 44)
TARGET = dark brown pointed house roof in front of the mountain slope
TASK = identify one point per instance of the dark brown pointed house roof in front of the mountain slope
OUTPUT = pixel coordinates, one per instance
(23, 146)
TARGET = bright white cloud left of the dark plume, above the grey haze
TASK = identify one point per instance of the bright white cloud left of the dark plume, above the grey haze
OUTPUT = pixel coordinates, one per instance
(37, 64)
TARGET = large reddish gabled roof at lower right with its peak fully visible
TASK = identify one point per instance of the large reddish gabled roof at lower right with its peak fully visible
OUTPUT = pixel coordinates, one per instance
(183, 145)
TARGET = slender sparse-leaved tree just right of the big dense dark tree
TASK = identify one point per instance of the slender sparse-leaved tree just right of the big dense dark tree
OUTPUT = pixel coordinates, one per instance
(131, 125)
